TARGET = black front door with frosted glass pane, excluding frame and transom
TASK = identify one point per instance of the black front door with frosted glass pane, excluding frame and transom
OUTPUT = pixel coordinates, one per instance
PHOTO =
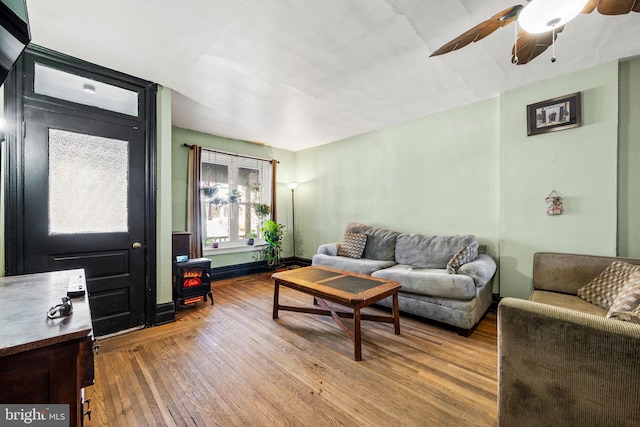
(84, 207)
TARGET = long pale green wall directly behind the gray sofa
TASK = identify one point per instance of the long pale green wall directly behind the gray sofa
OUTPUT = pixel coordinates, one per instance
(434, 175)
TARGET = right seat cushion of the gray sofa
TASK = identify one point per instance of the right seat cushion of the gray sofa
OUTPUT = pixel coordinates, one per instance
(431, 282)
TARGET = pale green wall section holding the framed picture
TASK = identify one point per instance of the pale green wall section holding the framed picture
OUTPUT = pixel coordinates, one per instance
(580, 164)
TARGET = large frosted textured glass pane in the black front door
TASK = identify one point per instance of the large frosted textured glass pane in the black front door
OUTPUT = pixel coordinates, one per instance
(88, 183)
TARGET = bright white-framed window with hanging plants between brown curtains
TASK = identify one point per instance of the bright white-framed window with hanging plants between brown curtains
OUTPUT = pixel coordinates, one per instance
(237, 242)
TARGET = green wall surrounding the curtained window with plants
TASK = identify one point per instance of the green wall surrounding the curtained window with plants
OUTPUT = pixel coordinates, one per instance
(284, 174)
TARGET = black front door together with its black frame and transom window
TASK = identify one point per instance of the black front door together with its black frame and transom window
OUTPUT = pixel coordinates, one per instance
(80, 182)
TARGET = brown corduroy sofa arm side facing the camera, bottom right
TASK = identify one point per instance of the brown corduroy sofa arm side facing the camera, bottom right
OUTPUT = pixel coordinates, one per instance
(562, 367)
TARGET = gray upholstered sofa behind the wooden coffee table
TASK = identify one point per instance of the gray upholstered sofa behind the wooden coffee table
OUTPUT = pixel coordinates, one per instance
(419, 264)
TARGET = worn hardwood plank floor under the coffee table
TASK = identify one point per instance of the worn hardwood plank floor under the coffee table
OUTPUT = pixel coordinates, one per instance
(231, 364)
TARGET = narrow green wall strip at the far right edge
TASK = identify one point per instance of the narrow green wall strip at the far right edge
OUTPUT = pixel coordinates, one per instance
(629, 155)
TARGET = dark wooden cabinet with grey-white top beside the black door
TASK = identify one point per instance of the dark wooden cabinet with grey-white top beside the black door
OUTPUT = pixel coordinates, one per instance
(44, 360)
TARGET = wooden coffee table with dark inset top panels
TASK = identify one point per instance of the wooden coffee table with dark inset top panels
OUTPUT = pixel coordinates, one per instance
(342, 287)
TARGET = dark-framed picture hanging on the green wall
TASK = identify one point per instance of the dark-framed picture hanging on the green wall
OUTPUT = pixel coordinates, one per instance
(554, 114)
